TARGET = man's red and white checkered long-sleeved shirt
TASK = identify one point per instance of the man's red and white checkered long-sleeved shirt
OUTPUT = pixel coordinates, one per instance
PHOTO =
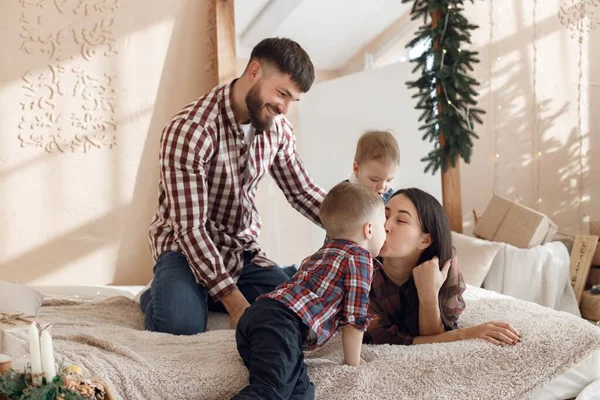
(208, 182)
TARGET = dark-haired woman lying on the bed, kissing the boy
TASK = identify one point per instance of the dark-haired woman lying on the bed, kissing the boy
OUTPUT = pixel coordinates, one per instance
(414, 299)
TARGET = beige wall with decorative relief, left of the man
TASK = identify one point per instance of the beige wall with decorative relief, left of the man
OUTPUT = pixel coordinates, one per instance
(85, 89)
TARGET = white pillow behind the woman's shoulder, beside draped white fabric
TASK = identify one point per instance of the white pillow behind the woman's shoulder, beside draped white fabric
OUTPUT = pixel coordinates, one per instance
(475, 257)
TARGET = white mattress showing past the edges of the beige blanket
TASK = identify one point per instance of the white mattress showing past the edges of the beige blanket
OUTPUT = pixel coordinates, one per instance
(566, 386)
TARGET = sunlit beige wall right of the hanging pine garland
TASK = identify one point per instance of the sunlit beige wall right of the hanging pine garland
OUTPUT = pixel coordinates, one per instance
(540, 86)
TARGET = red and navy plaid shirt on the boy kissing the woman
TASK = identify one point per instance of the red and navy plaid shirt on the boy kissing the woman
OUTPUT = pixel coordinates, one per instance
(330, 290)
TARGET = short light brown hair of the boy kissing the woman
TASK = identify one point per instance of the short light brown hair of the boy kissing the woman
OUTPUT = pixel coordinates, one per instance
(347, 207)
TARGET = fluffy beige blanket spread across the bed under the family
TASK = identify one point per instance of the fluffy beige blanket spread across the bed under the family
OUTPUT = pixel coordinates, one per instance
(106, 339)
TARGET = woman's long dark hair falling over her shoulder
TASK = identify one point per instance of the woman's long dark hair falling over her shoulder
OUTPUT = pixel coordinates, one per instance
(434, 221)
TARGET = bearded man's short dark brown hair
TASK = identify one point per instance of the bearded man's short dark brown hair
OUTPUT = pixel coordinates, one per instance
(289, 58)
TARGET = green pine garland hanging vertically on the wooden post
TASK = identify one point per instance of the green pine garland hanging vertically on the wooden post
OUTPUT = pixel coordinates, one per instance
(446, 92)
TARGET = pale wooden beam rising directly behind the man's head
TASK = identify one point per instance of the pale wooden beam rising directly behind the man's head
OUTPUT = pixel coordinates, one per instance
(225, 40)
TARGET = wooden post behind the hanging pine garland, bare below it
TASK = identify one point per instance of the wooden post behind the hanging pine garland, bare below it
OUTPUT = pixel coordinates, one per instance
(451, 191)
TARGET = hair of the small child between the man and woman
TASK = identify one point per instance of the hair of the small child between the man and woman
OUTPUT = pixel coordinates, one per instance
(377, 145)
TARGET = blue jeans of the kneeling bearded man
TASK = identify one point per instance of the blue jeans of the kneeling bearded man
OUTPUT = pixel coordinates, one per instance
(176, 304)
